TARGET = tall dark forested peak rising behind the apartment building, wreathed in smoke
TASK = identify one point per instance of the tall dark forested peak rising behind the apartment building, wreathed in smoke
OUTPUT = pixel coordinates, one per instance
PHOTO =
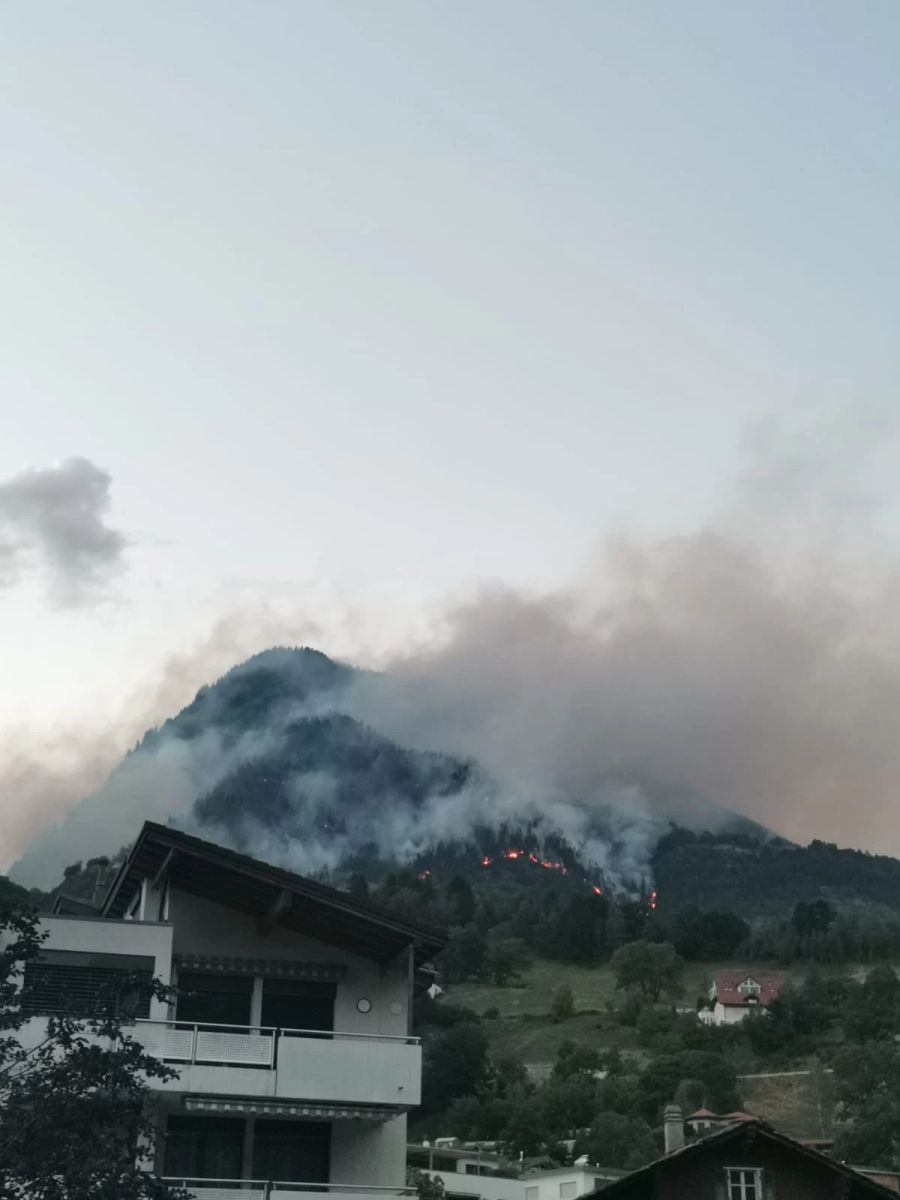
(267, 760)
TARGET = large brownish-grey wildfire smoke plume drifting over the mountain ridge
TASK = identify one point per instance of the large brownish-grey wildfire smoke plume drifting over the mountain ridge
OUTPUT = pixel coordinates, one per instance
(752, 665)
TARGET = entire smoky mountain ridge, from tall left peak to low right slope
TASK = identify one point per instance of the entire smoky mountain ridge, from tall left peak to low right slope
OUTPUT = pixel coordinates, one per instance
(275, 760)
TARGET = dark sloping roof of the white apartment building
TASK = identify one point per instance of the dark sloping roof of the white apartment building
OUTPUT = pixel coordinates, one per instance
(250, 886)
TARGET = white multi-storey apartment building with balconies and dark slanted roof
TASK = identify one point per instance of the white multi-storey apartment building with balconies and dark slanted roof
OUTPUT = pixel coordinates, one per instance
(292, 1033)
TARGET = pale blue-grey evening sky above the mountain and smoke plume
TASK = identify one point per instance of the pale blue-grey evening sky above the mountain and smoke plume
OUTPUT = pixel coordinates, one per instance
(316, 315)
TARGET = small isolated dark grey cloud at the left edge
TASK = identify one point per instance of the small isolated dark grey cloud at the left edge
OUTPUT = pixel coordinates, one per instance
(53, 523)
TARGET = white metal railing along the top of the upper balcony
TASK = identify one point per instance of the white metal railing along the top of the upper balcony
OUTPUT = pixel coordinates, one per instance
(253, 1046)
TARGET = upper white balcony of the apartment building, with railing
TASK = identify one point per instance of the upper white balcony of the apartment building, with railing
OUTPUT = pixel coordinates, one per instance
(334, 1067)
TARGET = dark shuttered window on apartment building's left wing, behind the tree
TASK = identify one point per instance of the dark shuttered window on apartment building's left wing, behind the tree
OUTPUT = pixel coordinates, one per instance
(81, 985)
